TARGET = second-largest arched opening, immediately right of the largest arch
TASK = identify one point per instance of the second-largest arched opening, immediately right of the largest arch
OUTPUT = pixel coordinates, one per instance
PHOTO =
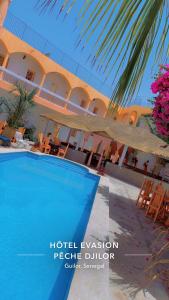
(57, 84)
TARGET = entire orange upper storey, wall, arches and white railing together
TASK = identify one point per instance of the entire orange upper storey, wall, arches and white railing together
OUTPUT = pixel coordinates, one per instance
(57, 88)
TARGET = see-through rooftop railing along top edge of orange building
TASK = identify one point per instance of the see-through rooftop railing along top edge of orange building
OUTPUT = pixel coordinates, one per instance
(33, 38)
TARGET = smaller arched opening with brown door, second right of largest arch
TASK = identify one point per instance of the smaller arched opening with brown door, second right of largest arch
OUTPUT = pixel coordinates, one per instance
(79, 97)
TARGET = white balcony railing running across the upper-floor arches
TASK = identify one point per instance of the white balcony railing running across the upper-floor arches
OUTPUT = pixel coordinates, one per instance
(11, 77)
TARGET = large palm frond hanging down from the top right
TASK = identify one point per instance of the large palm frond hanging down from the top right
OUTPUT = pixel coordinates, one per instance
(127, 33)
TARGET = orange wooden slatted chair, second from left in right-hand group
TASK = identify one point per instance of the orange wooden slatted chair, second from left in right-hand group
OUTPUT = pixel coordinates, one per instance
(156, 202)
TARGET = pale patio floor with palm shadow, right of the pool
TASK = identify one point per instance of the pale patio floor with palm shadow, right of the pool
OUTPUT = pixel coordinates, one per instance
(127, 225)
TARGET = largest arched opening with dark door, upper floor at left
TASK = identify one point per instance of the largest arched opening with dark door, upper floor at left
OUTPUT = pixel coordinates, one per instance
(26, 66)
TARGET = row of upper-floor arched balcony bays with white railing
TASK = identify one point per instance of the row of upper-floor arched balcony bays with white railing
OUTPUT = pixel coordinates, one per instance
(53, 88)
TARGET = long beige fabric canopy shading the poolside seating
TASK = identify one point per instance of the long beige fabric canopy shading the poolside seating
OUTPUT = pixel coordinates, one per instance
(135, 137)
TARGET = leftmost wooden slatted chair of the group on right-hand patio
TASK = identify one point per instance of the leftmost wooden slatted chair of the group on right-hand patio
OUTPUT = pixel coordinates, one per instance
(145, 193)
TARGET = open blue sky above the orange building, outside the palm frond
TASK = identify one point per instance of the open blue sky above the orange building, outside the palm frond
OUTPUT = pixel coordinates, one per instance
(64, 34)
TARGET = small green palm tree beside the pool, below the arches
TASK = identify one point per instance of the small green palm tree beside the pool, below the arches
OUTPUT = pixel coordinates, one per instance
(17, 107)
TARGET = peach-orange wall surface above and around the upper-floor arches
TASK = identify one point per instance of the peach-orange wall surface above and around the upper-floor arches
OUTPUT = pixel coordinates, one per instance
(14, 45)
